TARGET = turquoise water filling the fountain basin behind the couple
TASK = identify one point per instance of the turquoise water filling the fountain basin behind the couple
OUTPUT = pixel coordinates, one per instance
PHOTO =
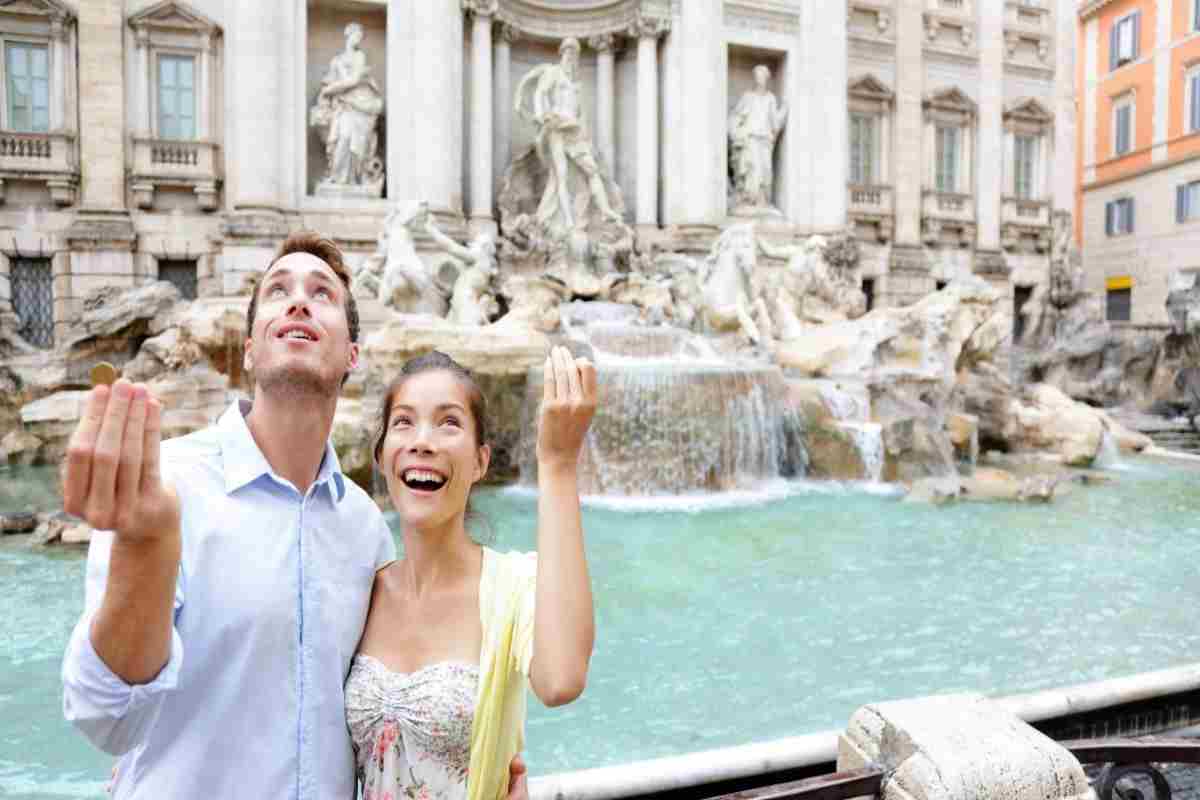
(752, 623)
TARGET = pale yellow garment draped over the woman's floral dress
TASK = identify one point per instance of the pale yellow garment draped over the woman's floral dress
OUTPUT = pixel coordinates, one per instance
(506, 605)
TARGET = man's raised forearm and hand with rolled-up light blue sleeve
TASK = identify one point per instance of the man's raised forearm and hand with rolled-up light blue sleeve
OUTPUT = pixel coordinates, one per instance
(117, 658)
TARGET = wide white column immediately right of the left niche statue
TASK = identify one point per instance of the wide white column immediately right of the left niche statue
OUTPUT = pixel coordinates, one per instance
(425, 127)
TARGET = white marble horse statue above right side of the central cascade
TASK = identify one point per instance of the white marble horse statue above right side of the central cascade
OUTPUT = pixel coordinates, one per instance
(728, 293)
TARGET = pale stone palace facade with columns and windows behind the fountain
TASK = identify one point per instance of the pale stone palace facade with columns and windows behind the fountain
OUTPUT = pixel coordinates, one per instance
(188, 148)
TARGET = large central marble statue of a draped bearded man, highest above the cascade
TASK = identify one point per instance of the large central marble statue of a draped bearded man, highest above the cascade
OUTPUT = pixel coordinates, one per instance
(550, 98)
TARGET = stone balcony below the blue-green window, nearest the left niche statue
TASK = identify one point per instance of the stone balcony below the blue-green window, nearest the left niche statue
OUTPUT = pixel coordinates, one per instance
(178, 164)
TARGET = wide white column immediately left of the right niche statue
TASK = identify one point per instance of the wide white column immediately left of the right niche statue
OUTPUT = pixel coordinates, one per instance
(694, 177)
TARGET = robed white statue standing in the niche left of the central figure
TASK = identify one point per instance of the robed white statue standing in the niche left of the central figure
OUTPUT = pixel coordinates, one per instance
(349, 109)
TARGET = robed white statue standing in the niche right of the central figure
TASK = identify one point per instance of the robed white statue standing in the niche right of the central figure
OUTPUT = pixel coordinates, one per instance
(755, 125)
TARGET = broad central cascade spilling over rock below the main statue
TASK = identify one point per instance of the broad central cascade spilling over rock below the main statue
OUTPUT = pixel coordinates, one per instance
(671, 422)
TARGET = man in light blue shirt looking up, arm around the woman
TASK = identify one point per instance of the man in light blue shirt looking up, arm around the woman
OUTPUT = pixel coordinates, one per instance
(230, 580)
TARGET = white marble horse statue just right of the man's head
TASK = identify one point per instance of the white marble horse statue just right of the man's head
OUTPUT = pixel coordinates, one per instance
(395, 274)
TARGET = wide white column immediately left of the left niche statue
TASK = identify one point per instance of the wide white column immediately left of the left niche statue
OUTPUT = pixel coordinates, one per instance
(256, 47)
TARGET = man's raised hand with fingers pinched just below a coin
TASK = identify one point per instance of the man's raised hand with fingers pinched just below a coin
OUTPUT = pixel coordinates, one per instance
(111, 477)
